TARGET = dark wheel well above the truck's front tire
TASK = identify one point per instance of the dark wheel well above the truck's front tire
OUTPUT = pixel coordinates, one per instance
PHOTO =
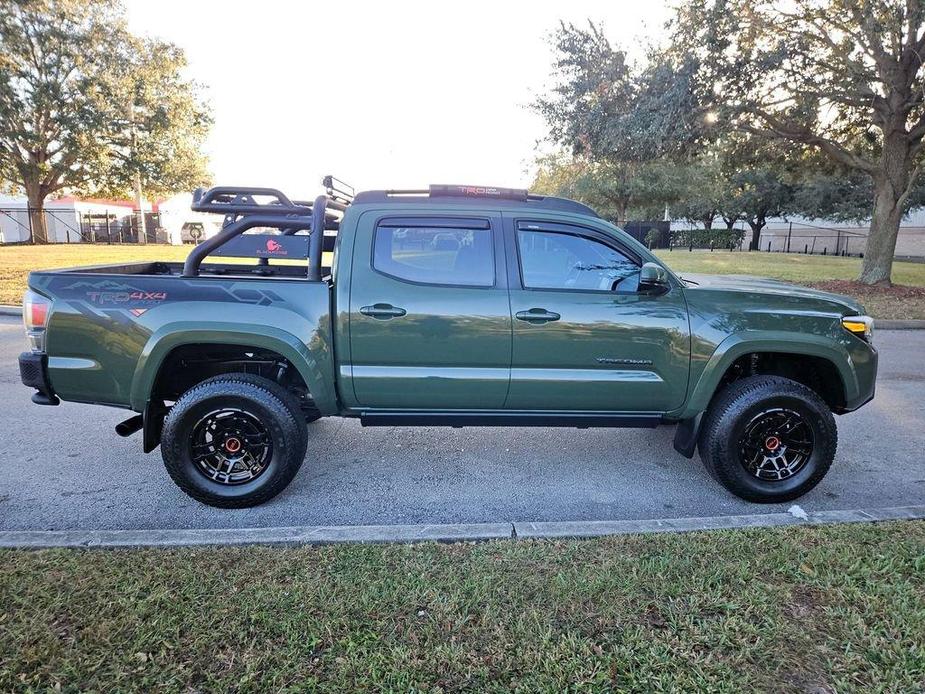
(816, 373)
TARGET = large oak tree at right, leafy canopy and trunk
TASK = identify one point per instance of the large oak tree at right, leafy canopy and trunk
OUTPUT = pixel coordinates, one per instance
(842, 76)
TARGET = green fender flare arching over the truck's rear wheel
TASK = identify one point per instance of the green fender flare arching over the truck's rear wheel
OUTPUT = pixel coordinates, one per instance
(315, 369)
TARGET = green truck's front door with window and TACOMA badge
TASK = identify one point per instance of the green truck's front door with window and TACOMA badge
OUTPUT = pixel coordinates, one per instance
(585, 337)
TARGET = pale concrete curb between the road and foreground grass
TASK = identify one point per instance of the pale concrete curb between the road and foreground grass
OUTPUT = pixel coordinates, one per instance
(310, 535)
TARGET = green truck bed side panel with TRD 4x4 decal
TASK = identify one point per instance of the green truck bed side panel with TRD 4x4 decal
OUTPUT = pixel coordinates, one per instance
(109, 323)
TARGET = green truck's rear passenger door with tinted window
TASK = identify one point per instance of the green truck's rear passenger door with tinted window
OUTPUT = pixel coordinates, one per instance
(430, 322)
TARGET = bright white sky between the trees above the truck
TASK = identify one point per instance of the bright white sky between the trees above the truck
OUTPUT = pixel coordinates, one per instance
(381, 94)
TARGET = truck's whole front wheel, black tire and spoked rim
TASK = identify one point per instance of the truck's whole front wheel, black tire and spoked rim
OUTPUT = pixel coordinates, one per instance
(768, 439)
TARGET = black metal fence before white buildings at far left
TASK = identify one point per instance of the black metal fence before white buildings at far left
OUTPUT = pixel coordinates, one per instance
(71, 226)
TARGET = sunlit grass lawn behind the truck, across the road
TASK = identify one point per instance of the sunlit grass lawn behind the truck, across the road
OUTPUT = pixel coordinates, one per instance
(906, 301)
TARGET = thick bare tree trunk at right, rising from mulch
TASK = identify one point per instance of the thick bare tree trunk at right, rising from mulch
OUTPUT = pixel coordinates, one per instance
(890, 184)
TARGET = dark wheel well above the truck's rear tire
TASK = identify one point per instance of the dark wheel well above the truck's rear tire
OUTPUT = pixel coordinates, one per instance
(188, 365)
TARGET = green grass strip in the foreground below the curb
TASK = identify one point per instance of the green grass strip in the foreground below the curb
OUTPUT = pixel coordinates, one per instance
(832, 608)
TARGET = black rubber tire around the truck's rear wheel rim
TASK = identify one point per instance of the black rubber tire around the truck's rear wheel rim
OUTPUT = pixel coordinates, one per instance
(278, 411)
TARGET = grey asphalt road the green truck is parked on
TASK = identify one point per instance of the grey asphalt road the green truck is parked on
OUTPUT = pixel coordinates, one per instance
(64, 468)
